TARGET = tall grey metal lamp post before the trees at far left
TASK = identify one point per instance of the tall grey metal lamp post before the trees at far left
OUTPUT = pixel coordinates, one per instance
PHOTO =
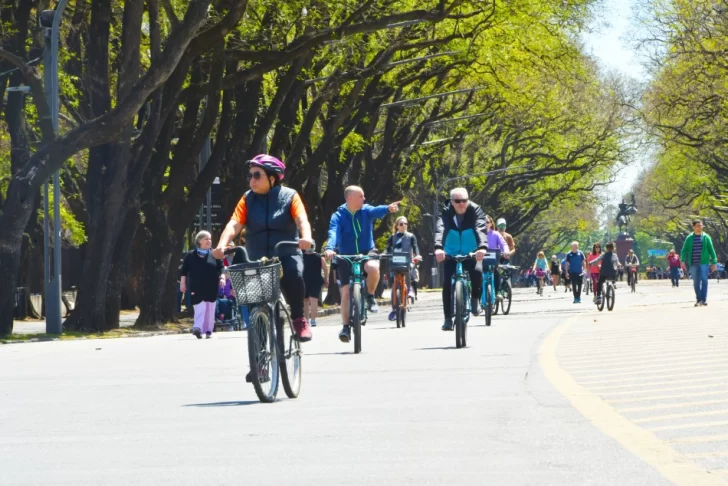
(50, 20)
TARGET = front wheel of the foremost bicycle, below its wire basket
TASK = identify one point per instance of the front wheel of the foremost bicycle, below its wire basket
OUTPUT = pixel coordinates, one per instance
(263, 355)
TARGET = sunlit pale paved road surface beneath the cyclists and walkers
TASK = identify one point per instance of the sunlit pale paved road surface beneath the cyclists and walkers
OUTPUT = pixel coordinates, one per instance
(410, 409)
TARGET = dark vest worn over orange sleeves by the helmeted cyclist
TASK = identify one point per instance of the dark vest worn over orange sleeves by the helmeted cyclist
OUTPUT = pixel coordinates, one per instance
(269, 222)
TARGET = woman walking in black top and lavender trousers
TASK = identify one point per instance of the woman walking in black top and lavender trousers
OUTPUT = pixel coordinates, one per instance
(205, 277)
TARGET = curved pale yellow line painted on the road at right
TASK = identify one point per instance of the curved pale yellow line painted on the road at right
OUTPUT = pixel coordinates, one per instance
(640, 442)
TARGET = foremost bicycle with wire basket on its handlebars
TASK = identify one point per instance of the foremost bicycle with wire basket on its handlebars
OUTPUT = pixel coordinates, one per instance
(272, 349)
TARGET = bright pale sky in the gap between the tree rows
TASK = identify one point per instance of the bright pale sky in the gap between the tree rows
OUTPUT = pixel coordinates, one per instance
(608, 42)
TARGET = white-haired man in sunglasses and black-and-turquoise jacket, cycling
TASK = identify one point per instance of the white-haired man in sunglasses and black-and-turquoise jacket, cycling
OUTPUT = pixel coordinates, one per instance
(461, 229)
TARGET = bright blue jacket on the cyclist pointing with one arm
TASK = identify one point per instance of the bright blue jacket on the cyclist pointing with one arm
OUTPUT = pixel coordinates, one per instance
(353, 234)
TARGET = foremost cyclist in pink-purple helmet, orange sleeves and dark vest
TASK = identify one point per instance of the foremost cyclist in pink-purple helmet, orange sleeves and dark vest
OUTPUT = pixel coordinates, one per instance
(270, 214)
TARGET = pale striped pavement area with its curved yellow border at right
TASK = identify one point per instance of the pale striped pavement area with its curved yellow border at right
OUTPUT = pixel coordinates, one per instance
(653, 375)
